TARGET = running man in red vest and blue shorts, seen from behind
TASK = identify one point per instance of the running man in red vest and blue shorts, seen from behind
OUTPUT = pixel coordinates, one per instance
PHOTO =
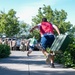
(47, 38)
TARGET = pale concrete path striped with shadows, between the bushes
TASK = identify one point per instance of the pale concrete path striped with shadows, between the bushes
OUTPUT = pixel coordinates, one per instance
(19, 64)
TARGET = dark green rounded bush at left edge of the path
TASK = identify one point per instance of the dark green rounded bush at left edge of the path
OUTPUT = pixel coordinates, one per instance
(4, 50)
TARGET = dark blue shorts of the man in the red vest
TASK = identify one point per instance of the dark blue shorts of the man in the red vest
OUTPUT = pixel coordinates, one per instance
(46, 41)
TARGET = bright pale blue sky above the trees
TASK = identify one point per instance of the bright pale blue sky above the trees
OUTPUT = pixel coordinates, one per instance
(26, 9)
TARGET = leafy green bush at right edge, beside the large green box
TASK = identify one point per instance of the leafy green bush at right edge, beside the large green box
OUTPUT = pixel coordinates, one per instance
(68, 55)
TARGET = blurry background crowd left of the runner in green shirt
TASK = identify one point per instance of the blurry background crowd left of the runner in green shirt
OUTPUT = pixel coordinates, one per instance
(15, 44)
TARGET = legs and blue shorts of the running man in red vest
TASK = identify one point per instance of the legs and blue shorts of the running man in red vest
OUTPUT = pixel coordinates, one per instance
(47, 41)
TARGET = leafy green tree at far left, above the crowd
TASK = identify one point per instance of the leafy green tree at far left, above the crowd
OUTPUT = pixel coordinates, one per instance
(9, 23)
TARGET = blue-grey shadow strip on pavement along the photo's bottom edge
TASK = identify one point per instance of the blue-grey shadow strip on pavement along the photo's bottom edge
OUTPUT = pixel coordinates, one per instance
(5, 71)
